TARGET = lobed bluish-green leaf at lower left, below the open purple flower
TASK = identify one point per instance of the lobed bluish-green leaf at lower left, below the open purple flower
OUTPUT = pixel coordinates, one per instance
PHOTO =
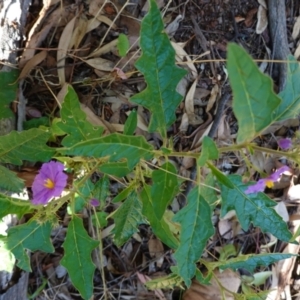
(30, 236)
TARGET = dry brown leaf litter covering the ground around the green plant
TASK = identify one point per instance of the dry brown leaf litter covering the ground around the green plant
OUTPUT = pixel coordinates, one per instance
(78, 44)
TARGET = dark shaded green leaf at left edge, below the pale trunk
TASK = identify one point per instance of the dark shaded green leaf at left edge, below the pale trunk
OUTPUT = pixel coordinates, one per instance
(8, 91)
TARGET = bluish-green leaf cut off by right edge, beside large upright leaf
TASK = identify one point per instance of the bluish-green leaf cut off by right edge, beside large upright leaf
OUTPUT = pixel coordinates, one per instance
(290, 106)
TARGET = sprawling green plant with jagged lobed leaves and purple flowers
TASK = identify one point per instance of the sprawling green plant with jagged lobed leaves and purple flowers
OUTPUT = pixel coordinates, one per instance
(86, 150)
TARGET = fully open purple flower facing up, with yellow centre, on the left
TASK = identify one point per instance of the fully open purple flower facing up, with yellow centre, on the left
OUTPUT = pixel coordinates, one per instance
(50, 182)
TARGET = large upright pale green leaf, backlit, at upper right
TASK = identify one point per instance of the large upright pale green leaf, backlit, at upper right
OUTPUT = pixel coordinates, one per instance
(254, 100)
